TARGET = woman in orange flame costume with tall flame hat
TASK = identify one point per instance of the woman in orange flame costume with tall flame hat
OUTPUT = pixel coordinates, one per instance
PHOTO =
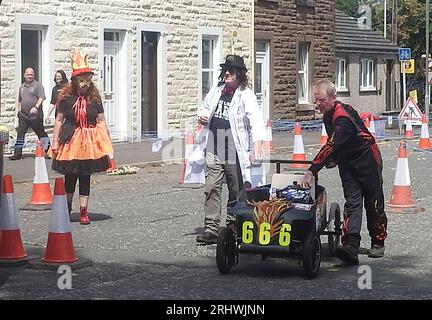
(81, 142)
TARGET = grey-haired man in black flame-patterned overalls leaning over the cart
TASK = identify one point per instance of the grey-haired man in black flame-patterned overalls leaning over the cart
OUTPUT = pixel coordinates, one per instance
(353, 148)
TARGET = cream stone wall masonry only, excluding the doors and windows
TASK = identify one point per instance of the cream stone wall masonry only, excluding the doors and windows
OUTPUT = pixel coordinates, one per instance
(77, 25)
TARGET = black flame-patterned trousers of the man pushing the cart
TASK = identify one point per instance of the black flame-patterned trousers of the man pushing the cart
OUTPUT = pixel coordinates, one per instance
(363, 187)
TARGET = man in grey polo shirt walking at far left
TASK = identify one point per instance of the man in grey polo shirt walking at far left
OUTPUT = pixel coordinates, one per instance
(30, 113)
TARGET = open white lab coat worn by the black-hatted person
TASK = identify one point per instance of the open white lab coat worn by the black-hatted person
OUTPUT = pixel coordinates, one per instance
(247, 126)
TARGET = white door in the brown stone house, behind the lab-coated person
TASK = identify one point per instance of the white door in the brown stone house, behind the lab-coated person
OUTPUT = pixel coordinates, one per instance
(261, 85)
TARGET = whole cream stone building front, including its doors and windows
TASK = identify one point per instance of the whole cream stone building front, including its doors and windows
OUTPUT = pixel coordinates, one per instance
(153, 60)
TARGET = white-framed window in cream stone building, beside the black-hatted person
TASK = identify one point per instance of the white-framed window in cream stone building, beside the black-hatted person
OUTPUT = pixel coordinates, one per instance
(208, 64)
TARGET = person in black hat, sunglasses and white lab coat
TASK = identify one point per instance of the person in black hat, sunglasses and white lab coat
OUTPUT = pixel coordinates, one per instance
(233, 138)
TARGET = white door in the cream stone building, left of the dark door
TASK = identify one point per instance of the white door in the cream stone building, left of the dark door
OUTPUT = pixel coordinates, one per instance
(111, 88)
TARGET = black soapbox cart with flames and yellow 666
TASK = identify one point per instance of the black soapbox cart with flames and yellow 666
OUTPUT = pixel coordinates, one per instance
(282, 220)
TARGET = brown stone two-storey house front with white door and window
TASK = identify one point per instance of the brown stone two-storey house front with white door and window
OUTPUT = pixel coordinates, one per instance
(294, 47)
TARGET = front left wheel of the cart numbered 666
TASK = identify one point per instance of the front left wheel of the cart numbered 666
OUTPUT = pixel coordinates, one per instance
(225, 251)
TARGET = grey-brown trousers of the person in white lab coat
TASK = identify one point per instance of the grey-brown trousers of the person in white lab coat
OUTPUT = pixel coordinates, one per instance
(216, 171)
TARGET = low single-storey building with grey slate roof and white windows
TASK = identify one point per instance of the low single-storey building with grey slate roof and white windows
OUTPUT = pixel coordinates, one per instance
(367, 67)
